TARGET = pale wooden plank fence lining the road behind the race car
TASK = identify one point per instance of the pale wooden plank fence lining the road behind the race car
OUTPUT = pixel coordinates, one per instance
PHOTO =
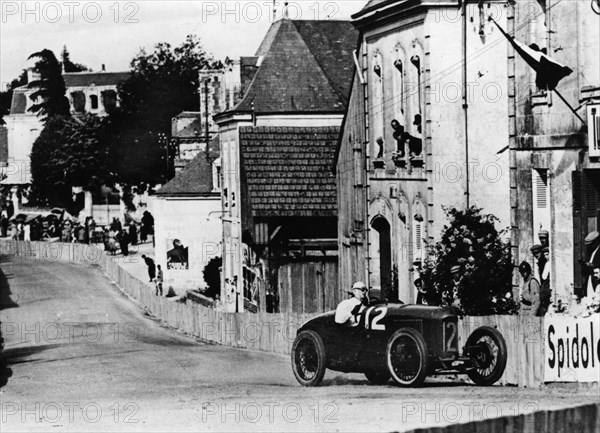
(274, 332)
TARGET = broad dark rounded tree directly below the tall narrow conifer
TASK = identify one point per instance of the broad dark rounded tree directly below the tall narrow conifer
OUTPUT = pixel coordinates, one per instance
(69, 152)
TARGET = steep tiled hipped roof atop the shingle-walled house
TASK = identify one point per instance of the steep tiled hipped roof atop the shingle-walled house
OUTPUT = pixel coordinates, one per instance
(306, 67)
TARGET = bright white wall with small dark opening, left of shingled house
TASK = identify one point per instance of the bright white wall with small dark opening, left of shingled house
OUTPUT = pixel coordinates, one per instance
(196, 222)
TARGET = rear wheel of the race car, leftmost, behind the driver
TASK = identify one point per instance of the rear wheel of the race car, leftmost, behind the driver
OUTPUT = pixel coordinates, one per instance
(308, 358)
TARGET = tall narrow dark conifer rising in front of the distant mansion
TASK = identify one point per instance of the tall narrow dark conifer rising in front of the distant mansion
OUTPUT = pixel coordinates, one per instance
(50, 87)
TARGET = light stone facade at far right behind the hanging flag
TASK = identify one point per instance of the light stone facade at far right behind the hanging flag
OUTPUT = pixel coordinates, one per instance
(555, 158)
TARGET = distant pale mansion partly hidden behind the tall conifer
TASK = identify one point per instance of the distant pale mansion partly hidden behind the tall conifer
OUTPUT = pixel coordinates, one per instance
(87, 92)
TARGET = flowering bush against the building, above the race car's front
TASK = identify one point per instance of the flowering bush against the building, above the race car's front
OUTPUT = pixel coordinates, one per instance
(484, 282)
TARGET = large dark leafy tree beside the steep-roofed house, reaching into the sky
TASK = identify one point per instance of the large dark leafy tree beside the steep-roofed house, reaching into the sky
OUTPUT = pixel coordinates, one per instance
(162, 84)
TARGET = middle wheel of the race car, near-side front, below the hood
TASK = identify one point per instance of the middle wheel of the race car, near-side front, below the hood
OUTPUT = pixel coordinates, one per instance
(406, 357)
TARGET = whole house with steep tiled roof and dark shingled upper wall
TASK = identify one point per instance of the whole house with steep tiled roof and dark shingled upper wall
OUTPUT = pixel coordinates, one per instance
(279, 202)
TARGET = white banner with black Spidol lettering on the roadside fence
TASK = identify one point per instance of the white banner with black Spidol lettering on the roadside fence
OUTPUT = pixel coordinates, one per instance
(572, 349)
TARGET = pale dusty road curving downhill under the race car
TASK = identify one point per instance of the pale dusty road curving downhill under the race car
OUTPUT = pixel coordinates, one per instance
(84, 358)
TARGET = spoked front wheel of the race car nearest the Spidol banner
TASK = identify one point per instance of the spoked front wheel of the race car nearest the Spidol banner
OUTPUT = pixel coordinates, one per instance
(487, 350)
